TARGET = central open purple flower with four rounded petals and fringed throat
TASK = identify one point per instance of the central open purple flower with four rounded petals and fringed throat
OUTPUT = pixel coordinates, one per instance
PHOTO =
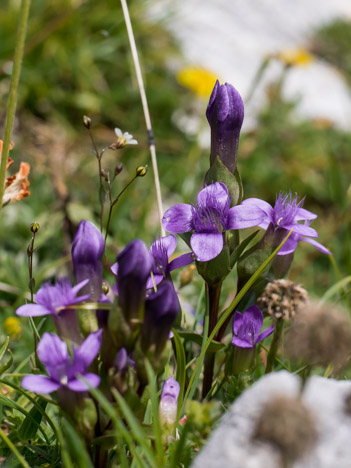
(209, 219)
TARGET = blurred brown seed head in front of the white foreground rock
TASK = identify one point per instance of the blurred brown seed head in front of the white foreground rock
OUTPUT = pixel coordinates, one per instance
(287, 424)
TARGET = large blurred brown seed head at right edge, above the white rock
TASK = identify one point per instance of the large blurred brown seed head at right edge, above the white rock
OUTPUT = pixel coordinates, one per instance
(320, 335)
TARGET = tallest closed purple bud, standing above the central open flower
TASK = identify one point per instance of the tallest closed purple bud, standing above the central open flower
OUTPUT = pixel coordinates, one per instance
(225, 114)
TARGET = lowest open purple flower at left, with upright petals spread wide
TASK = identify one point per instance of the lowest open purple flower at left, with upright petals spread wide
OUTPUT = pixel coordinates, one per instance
(62, 369)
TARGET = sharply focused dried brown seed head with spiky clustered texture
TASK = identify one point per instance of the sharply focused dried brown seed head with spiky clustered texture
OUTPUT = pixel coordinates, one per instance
(281, 298)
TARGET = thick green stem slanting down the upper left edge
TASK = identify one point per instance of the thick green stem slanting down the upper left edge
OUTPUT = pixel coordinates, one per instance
(12, 100)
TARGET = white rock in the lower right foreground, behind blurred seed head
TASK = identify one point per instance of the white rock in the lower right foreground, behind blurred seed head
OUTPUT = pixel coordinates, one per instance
(231, 445)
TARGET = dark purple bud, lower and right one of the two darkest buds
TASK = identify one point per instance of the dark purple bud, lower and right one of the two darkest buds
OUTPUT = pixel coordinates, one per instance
(161, 310)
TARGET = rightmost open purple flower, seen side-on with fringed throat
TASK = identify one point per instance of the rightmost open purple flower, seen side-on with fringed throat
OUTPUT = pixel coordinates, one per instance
(287, 214)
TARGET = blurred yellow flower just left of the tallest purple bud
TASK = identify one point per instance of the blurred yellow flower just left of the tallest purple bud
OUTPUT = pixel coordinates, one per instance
(198, 79)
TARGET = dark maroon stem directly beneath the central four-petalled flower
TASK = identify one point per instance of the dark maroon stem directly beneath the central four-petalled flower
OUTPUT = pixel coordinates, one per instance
(214, 294)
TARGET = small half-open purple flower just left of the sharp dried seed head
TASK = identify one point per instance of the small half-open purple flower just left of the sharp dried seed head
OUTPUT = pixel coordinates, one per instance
(247, 327)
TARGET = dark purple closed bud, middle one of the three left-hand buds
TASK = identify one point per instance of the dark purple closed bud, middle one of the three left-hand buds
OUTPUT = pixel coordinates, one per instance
(134, 266)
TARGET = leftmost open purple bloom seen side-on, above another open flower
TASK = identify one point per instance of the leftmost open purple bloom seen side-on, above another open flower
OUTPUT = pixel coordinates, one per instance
(51, 297)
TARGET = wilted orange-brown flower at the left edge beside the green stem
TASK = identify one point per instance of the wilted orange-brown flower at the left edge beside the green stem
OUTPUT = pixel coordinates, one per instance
(16, 186)
